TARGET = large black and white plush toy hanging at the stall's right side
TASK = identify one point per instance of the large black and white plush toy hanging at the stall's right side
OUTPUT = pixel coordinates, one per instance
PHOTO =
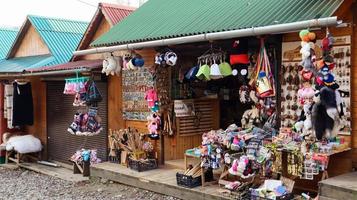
(325, 115)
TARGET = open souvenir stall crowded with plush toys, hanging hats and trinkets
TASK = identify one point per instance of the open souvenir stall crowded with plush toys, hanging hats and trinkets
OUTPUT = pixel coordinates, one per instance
(252, 148)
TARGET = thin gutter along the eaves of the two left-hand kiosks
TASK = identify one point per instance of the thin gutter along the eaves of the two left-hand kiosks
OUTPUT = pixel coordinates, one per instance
(28, 74)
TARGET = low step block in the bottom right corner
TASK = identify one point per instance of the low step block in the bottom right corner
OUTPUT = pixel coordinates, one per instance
(343, 187)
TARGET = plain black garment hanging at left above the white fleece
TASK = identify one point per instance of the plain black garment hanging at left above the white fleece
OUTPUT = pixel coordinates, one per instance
(22, 104)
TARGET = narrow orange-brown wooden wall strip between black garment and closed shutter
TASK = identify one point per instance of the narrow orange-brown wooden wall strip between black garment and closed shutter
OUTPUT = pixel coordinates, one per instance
(39, 128)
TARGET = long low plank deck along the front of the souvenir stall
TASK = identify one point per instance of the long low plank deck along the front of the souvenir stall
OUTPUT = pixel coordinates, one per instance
(161, 180)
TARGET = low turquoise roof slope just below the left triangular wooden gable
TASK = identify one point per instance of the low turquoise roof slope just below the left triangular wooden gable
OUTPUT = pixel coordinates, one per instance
(20, 64)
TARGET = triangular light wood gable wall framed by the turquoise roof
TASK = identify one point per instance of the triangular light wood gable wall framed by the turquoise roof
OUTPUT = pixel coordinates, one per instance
(31, 44)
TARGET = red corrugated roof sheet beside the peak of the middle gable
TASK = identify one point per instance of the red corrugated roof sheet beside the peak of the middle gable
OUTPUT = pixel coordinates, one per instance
(115, 13)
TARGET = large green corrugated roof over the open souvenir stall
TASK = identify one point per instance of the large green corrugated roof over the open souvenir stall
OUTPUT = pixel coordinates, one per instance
(160, 19)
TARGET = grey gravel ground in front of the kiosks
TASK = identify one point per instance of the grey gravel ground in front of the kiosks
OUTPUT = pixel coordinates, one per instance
(23, 184)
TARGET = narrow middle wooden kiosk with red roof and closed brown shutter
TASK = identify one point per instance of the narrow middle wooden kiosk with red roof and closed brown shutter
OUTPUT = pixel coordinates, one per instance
(57, 110)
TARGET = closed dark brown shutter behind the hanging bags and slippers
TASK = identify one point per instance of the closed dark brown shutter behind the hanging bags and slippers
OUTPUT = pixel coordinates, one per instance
(61, 144)
